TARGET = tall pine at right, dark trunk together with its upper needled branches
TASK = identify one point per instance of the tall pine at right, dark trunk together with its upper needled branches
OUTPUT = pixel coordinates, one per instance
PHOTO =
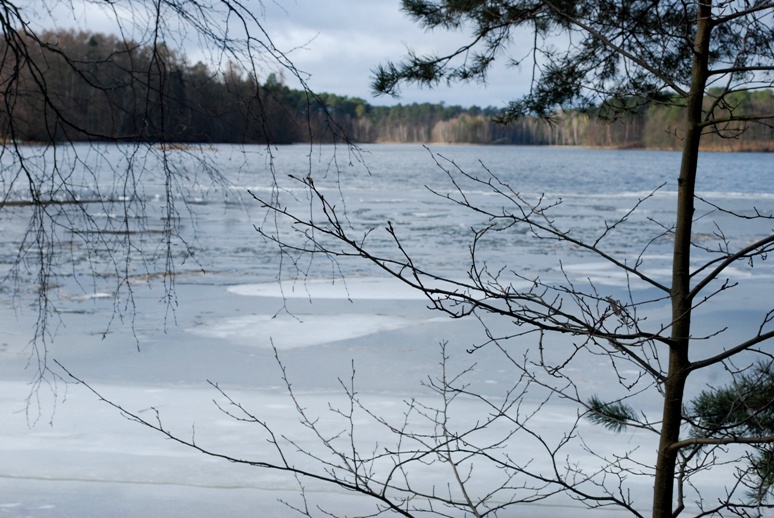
(588, 53)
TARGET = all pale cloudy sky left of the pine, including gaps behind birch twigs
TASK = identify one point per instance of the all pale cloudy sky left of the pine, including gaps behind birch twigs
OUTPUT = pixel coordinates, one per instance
(337, 42)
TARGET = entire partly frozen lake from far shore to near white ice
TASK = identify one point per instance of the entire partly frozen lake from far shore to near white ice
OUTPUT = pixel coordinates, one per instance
(235, 299)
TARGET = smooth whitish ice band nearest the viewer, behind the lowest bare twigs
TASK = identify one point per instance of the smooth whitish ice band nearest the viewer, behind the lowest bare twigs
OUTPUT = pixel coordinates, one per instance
(96, 464)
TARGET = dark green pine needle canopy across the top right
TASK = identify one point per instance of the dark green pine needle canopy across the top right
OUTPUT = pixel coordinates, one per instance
(588, 53)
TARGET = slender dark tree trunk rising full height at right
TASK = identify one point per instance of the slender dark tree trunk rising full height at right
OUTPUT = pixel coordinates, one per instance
(663, 489)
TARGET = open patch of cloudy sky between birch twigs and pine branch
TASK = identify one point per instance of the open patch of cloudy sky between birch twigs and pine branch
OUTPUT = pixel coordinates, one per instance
(343, 40)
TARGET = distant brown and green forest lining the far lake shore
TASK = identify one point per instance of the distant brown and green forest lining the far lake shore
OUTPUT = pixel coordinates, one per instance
(101, 87)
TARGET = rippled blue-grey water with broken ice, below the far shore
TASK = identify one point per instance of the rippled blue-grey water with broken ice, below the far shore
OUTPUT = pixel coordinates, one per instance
(405, 184)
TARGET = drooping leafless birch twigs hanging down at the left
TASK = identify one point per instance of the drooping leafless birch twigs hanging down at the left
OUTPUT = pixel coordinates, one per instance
(121, 208)
